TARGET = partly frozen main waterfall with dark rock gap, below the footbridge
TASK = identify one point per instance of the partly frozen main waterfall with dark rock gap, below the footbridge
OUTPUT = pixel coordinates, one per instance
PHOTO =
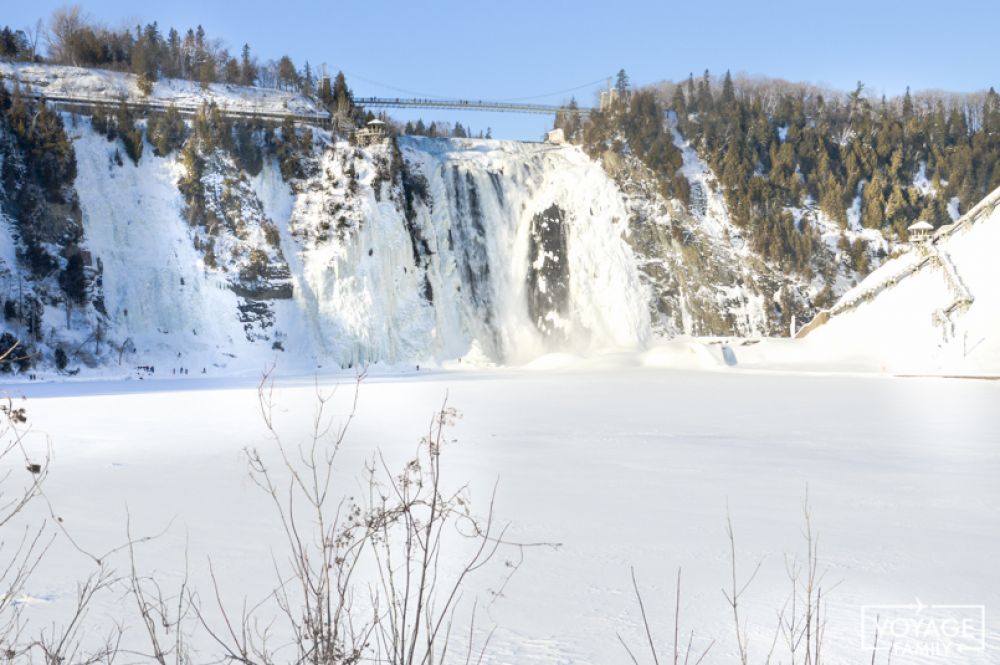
(527, 249)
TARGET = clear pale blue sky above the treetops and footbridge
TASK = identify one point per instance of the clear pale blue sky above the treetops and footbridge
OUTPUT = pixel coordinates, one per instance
(510, 49)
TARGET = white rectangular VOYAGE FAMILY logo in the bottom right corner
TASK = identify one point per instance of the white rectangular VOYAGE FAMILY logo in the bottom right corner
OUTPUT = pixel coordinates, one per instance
(934, 631)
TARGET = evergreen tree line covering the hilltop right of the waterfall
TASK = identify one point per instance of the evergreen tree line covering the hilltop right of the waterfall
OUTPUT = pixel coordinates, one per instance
(778, 147)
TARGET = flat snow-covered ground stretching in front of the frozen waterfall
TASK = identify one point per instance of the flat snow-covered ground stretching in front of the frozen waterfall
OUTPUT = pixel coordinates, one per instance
(625, 467)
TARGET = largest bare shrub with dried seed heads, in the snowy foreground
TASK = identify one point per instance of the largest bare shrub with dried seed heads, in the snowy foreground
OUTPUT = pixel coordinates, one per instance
(401, 530)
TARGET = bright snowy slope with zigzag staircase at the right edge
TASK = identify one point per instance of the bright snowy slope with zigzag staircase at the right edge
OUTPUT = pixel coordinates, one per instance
(913, 314)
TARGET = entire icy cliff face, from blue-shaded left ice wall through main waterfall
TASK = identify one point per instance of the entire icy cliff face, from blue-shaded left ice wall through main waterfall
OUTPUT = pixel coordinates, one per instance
(486, 251)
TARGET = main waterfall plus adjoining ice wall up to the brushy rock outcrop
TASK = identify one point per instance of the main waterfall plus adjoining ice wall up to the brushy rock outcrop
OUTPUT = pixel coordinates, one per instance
(452, 261)
